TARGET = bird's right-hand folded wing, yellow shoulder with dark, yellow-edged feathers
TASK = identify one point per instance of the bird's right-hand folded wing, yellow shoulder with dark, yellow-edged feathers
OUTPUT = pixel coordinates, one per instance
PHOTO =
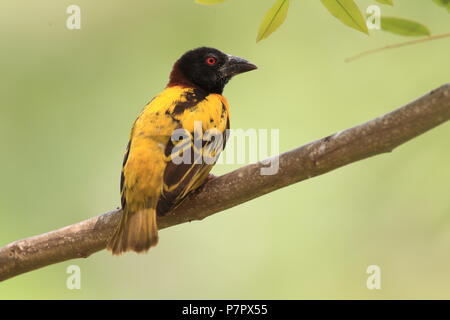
(203, 123)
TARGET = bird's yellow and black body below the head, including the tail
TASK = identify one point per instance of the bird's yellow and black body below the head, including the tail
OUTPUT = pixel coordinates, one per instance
(153, 180)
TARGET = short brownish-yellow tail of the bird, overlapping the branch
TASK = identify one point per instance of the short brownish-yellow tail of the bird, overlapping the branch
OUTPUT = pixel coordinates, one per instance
(137, 232)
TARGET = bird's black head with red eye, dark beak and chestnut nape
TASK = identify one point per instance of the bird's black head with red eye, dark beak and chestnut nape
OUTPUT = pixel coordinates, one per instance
(208, 69)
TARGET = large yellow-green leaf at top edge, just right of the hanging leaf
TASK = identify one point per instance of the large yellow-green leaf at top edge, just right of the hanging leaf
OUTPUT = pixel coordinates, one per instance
(348, 13)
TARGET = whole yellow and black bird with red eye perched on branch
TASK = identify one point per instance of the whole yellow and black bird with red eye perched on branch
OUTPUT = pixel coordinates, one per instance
(161, 168)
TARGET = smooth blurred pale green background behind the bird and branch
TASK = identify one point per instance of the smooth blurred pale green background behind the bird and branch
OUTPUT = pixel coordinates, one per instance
(68, 100)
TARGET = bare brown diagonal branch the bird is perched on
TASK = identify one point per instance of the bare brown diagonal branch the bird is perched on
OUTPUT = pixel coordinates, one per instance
(377, 136)
